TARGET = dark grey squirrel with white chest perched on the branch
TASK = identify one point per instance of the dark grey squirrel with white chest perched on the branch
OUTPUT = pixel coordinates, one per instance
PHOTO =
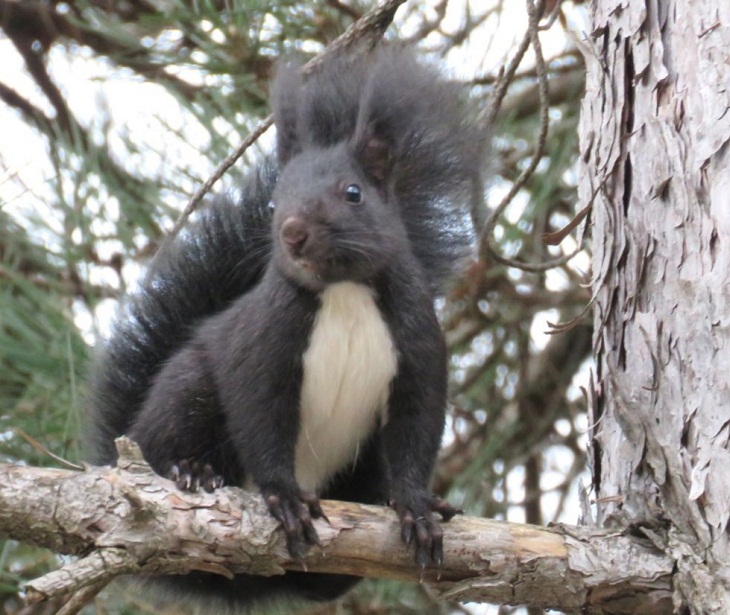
(288, 339)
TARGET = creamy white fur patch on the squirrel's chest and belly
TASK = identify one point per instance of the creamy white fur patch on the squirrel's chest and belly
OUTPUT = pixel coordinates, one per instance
(348, 369)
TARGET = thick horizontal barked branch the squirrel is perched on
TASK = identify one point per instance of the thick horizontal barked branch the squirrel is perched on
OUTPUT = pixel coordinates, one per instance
(130, 520)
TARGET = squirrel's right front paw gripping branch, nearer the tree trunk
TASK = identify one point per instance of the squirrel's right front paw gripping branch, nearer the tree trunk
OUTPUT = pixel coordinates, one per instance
(417, 523)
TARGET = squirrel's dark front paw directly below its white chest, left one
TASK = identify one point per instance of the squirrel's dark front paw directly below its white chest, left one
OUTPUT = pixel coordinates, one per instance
(295, 509)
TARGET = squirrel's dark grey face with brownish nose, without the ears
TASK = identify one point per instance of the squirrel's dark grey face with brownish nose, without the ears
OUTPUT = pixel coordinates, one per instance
(331, 222)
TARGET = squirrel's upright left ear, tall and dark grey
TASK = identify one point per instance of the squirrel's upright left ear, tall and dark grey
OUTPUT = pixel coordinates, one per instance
(286, 92)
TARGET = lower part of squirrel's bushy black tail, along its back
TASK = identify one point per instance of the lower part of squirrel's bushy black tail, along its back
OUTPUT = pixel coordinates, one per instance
(212, 261)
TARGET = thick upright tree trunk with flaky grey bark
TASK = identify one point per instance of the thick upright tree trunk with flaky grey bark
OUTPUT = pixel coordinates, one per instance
(655, 128)
